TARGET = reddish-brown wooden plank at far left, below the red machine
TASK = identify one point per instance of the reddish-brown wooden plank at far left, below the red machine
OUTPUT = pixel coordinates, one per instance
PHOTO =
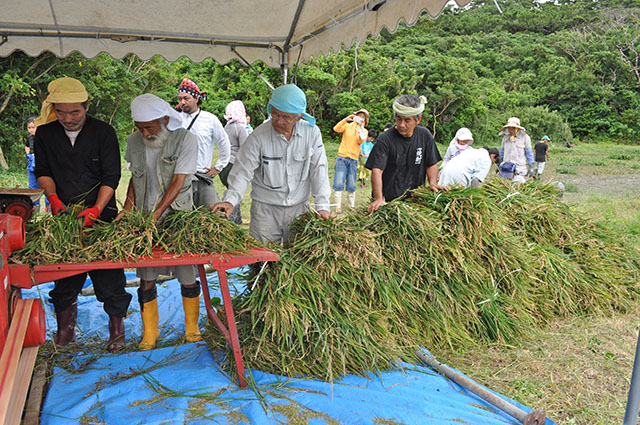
(11, 353)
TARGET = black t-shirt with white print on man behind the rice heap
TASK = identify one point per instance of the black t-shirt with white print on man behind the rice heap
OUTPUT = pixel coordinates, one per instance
(403, 161)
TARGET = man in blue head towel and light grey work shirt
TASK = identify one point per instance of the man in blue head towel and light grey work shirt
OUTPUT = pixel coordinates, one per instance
(284, 161)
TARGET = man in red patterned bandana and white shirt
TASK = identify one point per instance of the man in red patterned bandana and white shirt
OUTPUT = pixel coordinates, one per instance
(209, 131)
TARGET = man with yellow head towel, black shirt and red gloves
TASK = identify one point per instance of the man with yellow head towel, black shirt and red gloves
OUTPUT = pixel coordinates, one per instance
(78, 162)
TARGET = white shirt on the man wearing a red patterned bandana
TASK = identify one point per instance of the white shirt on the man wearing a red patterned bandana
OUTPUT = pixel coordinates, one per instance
(209, 132)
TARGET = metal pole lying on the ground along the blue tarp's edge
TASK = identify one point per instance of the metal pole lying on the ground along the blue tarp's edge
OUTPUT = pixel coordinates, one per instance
(537, 417)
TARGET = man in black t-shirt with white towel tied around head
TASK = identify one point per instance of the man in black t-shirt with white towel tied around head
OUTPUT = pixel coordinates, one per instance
(404, 156)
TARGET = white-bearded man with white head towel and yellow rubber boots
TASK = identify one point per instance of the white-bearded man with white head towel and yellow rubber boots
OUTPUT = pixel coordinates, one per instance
(162, 155)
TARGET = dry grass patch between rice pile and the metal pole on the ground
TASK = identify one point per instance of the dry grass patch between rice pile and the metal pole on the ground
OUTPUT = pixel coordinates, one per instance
(578, 369)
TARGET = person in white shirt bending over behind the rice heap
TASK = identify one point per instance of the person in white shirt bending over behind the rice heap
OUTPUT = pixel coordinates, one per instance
(469, 168)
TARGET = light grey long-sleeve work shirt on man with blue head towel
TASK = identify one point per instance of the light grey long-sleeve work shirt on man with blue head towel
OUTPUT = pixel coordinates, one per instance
(281, 172)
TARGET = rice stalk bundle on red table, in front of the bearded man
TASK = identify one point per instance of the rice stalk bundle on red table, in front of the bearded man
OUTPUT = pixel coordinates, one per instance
(200, 232)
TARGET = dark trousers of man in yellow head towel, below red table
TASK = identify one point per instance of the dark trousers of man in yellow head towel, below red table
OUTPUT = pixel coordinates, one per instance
(107, 284)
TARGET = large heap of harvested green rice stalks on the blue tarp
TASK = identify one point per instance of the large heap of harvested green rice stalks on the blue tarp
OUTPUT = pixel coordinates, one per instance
(449, 268)
